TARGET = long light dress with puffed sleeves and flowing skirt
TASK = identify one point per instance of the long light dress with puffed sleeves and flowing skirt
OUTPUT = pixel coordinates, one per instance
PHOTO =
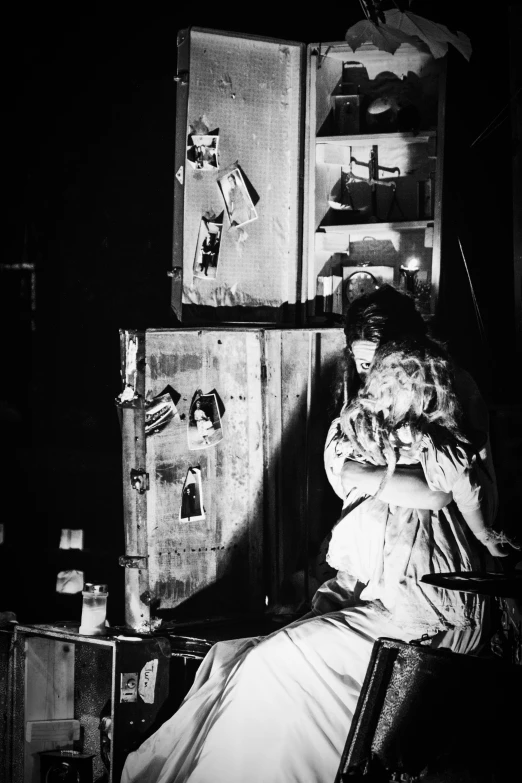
(278, 709)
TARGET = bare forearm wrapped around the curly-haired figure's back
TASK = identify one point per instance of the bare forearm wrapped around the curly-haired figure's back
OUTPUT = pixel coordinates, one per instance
(406, 487)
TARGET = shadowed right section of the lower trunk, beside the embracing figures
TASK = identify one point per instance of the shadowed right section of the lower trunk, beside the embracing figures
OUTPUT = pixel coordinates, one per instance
(307, 507)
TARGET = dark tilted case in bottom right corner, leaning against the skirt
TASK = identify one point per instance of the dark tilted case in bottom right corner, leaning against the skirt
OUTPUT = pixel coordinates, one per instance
(436, 716)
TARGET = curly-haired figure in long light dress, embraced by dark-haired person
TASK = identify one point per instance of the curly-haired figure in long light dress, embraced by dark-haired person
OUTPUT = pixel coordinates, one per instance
(278, 709)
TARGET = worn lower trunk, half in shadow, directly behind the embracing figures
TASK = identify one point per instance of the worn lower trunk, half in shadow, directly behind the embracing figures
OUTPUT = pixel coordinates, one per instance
(266, 501)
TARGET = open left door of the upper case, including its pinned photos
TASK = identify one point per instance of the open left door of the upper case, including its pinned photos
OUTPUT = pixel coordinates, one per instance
(238, 175)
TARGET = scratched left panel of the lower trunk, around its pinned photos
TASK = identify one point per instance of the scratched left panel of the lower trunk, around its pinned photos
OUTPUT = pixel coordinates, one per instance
(218, 560)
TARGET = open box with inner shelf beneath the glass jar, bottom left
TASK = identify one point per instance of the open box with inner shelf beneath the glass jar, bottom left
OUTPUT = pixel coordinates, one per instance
(68, 692)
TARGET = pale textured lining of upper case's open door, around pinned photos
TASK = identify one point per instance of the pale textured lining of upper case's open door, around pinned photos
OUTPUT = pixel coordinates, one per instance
(249, 88)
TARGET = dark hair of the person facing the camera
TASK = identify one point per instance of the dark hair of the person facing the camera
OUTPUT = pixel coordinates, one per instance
(383, 315)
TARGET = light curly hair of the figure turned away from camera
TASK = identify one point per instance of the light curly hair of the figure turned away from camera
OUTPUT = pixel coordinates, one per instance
(409, 385)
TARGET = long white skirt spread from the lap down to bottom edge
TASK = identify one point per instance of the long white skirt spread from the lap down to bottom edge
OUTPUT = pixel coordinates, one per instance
(272, 710)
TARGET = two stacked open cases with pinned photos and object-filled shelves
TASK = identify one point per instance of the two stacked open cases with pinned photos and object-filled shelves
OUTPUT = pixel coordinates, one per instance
(343, 196)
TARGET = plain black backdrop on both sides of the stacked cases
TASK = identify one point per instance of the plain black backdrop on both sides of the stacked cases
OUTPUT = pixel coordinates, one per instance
(88, 190)
